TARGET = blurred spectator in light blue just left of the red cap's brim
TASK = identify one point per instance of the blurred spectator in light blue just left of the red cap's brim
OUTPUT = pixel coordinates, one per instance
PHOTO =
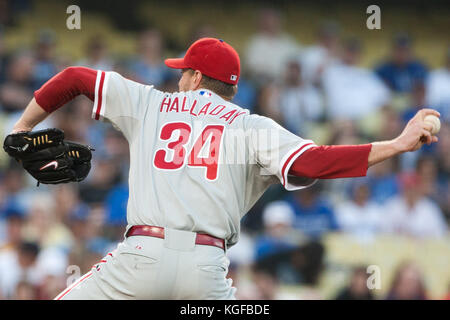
(148, 67)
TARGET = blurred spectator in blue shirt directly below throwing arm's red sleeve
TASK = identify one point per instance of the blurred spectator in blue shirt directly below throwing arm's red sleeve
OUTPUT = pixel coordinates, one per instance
(314, 216)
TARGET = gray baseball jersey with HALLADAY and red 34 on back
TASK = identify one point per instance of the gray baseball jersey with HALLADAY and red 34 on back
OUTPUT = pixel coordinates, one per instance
(197, 162)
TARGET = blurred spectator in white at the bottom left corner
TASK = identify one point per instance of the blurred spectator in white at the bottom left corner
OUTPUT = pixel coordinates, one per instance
(17, 266)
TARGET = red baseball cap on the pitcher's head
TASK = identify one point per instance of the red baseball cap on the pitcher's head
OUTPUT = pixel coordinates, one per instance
(213, 58)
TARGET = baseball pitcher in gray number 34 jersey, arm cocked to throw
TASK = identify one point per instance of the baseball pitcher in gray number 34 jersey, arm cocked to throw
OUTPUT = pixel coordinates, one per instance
(198, 163)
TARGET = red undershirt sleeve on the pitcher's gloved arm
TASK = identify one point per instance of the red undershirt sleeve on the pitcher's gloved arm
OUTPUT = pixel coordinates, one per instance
(65, 86)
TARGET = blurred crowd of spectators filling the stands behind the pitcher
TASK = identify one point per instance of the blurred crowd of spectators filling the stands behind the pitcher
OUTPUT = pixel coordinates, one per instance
(317, 91)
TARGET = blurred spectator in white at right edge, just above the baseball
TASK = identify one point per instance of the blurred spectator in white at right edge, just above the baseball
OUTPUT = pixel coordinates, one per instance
(438, 94)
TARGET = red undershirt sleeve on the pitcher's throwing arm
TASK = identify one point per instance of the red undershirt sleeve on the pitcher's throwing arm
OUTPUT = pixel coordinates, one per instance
(331, 162)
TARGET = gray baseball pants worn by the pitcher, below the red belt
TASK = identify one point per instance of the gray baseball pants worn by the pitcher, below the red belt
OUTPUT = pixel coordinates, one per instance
(145, 267)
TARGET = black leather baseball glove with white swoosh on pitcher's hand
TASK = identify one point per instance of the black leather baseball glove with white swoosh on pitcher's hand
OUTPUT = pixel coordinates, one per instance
(47, 157)
